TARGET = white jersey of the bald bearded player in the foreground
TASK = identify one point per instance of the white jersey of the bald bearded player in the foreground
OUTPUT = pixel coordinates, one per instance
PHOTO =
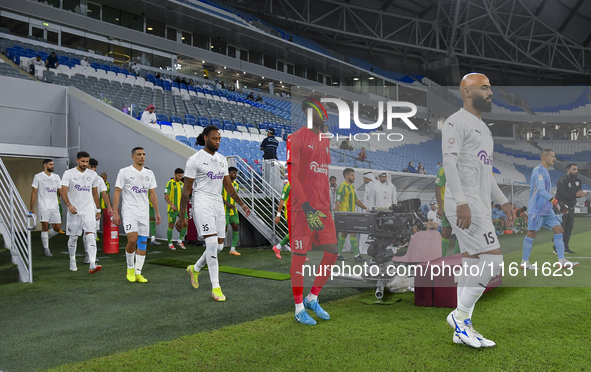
(469, 137)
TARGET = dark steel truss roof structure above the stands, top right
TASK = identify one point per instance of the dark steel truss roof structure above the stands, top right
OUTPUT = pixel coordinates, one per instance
(550, 37)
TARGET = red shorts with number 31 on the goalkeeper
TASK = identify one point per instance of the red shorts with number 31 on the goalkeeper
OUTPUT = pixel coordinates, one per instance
(300, 236)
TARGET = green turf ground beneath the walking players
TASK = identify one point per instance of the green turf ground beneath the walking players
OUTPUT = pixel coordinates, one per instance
(108, 324)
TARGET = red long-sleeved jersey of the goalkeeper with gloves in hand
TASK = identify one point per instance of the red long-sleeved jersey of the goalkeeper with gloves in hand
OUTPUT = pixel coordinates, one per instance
(308, 157)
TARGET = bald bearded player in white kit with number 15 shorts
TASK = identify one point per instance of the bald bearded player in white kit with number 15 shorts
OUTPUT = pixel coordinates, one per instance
(467, 147)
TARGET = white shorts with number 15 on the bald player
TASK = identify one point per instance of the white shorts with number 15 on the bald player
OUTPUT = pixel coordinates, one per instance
(479, 238)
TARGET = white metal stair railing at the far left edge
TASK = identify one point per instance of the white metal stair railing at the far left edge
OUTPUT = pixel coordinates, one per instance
(18, 222)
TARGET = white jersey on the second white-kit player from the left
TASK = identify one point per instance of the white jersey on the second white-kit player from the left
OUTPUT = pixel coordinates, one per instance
(80, 187)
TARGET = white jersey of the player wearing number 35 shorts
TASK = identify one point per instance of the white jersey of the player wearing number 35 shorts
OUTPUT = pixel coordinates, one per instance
(208, 171)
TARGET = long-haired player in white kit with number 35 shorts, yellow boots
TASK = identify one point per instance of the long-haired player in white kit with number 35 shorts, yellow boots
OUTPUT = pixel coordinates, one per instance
(208, 169)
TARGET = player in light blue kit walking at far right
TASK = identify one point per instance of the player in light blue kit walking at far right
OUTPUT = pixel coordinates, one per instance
(541, 208)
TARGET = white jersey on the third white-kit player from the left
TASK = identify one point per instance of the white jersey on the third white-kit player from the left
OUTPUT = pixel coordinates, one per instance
(135, 185)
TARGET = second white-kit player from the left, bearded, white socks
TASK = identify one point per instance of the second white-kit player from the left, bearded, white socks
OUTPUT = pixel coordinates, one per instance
(79, 192)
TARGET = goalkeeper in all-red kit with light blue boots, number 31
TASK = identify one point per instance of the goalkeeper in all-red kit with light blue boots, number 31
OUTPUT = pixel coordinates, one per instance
(310, 220)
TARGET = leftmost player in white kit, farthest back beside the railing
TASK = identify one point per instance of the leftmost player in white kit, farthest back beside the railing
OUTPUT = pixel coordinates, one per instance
(45, 185)
